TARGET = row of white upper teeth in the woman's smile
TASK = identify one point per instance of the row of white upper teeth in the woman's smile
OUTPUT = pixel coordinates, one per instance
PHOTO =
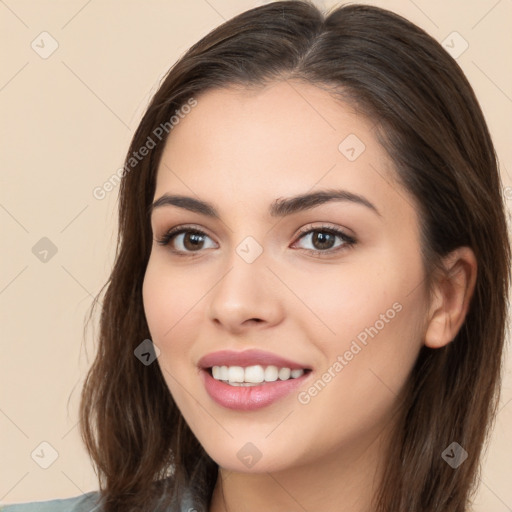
(252, 375)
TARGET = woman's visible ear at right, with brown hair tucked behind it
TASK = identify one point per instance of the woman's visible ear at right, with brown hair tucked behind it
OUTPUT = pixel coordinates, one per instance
(452, 294)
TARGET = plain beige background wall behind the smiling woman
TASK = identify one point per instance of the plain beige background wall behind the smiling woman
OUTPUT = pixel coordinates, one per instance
(66, 123)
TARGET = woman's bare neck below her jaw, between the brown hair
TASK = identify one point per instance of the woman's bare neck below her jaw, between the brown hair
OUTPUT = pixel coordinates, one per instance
(344, 480)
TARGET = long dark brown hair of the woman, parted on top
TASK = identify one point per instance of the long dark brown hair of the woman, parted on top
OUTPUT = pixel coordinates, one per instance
(430, 123)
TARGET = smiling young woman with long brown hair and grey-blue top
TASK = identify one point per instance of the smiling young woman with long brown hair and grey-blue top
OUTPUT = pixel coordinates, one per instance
(307, 308)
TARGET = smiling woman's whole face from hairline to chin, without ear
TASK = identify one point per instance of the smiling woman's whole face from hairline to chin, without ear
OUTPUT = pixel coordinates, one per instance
(331, 283)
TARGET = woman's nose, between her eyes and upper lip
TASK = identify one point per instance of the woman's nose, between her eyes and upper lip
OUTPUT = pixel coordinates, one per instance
(246, 297)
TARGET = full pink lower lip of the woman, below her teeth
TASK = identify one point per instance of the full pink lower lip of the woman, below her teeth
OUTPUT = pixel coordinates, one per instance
(249, 398)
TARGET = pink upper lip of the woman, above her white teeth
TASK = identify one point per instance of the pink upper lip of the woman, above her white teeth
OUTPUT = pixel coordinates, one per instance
(247, 358)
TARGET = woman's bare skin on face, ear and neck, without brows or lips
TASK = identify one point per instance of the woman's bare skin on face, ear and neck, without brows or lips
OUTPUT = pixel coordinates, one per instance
(241, 150)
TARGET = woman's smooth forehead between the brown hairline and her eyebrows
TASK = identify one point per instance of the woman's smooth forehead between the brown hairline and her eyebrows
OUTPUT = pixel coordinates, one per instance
(252, 144)
